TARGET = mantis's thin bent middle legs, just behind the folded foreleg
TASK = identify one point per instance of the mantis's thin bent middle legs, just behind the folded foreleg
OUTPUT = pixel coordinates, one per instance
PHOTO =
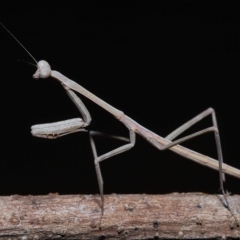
(98, 159)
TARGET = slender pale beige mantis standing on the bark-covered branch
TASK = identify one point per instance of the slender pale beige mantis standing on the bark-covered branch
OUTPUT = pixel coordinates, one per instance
(54, 130)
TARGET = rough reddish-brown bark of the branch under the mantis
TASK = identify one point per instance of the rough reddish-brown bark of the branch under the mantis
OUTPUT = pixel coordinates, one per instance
(191, 215)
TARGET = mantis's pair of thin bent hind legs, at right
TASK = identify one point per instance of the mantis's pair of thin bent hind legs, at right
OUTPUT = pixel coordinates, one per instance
(187, 125)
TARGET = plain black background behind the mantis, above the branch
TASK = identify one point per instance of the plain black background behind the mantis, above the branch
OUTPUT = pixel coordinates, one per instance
(161, 63)
